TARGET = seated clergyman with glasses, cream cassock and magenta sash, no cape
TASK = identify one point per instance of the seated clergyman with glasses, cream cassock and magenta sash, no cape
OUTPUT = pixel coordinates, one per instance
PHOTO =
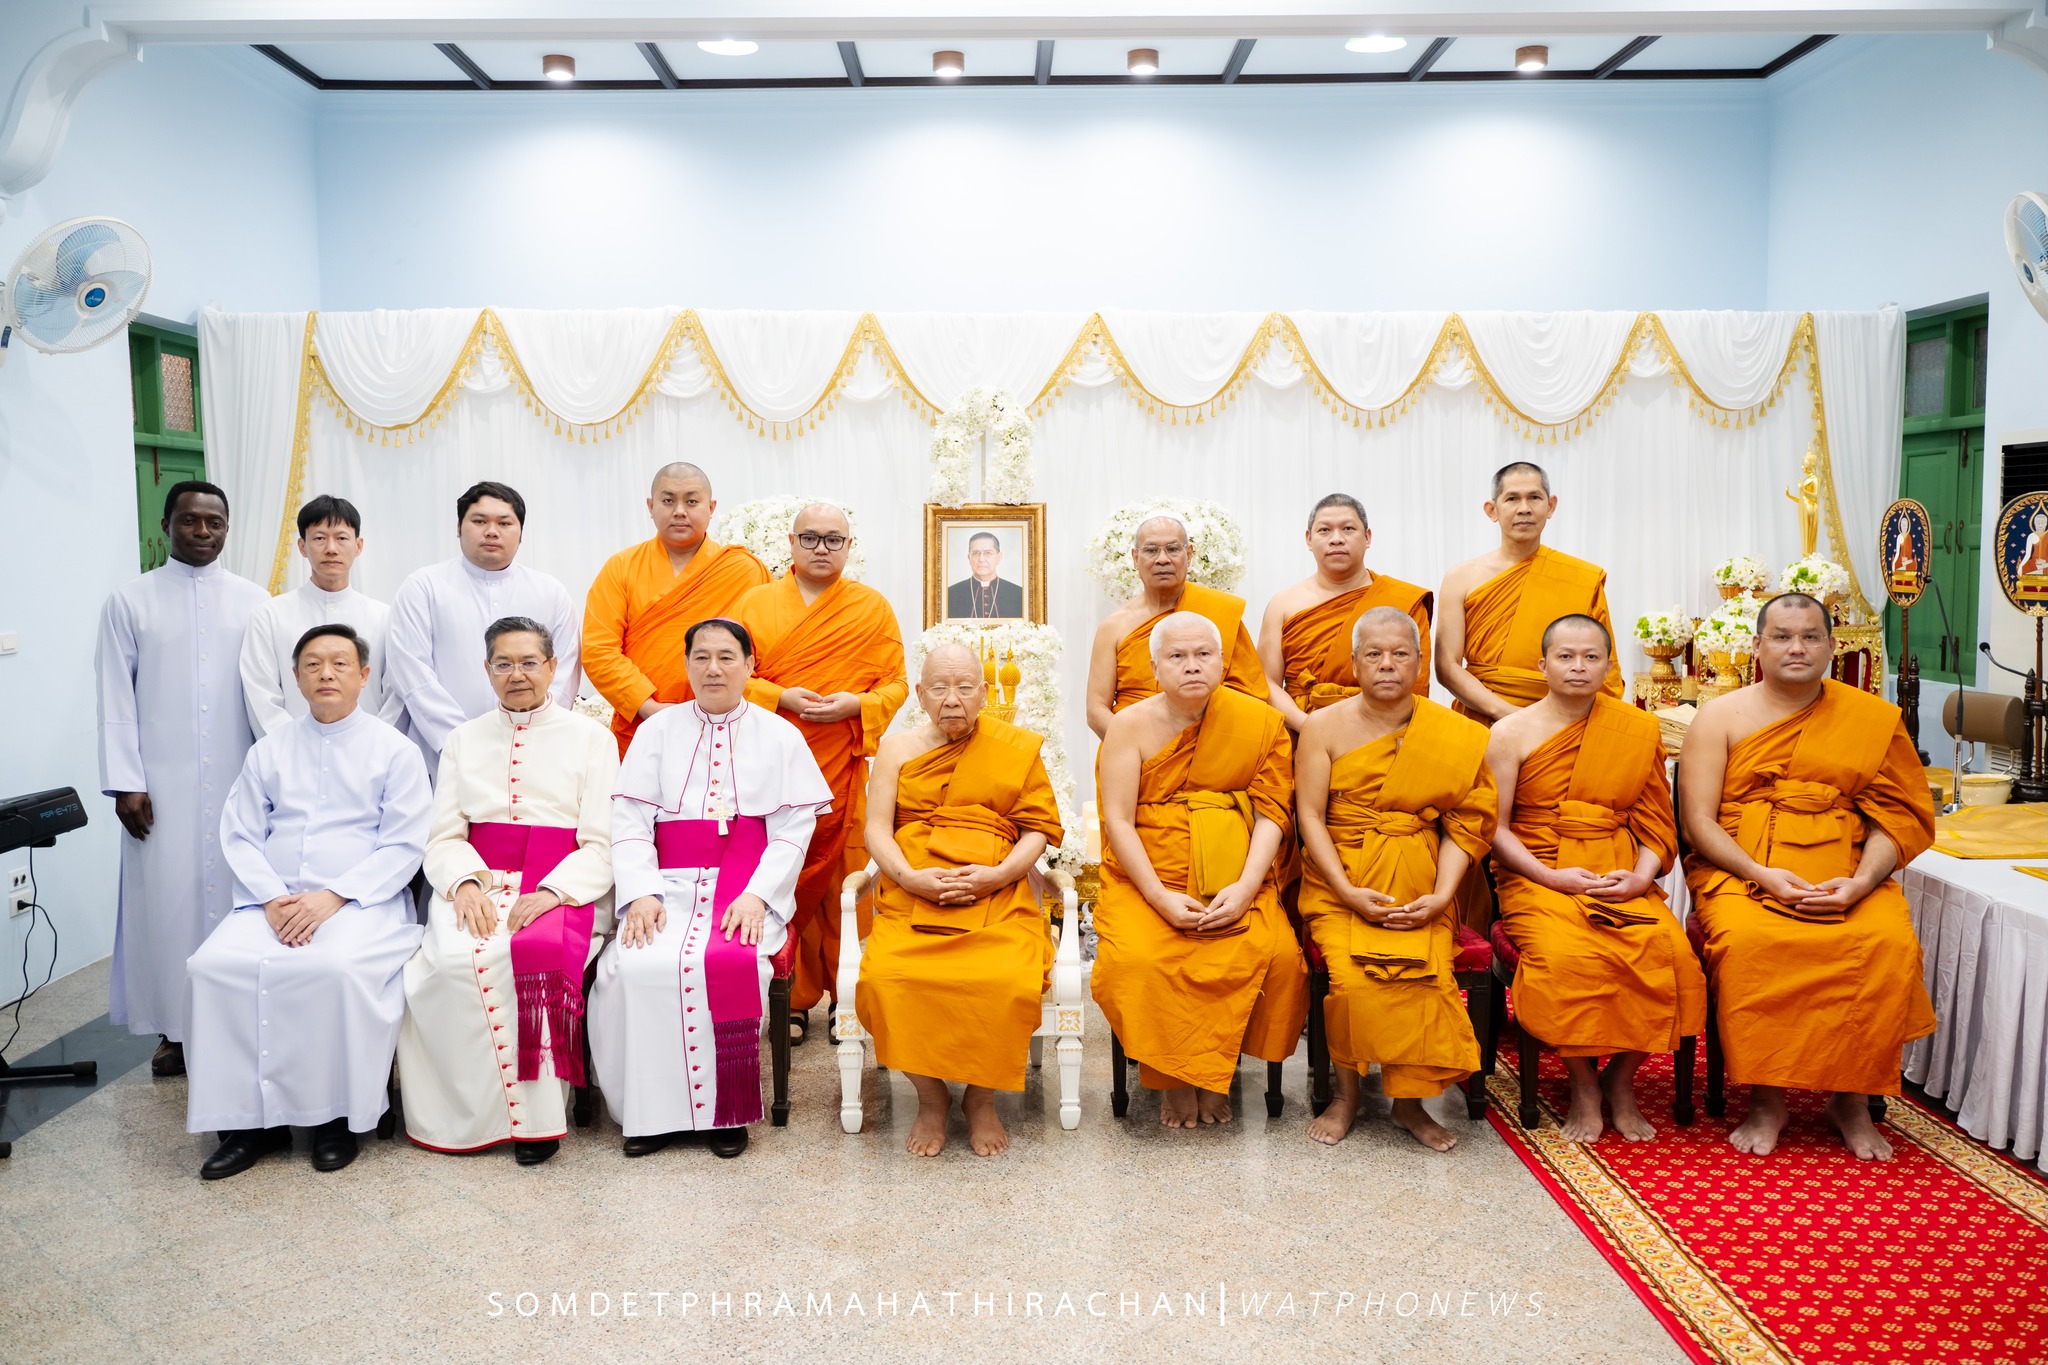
(521, 863)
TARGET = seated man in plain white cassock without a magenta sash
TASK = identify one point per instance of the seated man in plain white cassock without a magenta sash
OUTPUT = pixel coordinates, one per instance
(296, 998)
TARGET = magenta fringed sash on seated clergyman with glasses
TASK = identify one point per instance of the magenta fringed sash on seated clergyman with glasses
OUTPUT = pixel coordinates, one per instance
(548, 957)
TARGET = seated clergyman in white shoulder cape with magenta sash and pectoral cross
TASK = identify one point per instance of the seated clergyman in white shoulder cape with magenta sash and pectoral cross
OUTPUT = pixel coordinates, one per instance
(714, 818)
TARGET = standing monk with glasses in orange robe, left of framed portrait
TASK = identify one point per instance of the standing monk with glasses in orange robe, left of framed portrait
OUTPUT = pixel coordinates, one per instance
(830, 658)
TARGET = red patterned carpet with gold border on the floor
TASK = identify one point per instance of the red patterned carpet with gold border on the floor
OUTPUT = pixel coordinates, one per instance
(1807, 1256)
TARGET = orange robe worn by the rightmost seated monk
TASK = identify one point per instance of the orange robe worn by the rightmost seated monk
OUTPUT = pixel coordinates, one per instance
(1818, 1002)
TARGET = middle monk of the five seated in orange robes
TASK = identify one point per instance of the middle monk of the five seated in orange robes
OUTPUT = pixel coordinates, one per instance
(1396, 803)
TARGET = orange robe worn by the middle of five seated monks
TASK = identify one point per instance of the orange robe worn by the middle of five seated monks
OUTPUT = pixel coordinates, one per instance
(1394, 998)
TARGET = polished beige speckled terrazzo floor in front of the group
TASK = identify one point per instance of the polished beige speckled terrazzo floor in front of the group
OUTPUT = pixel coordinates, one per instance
(1140, 1243)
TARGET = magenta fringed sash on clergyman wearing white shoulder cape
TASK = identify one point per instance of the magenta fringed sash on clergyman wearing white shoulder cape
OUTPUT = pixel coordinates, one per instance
(732, 969)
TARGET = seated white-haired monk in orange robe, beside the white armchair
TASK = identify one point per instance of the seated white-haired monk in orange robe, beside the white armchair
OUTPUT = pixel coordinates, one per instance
(1195, 959)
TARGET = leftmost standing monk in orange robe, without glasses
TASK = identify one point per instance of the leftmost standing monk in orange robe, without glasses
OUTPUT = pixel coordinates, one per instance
(646, 597)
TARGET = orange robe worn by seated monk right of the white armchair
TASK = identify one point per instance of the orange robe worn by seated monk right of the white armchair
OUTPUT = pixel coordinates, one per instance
(1189, 1006)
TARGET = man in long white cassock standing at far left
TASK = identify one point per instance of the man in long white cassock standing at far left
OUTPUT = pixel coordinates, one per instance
(173, 736)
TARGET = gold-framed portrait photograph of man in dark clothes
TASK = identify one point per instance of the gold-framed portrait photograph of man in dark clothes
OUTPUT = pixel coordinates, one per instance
(984, 562)
